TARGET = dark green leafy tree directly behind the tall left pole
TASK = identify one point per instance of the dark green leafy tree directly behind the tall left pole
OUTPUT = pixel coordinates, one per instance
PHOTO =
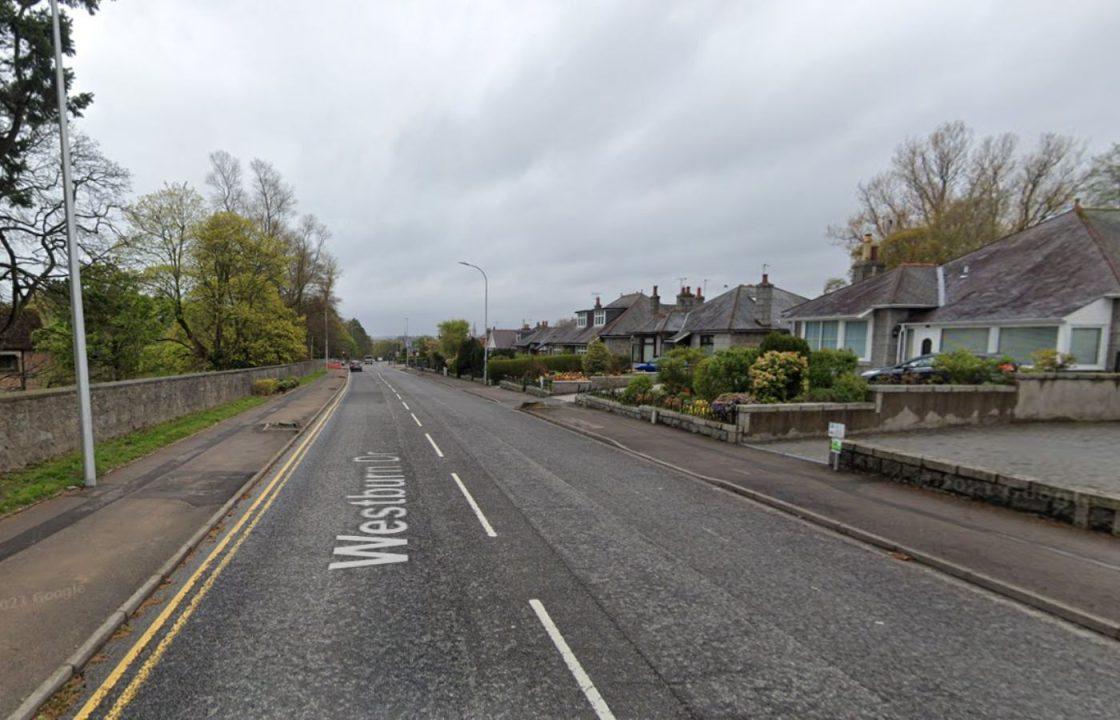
(120, 323)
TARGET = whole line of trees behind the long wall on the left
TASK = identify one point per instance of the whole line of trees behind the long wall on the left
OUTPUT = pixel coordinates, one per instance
(176, 280)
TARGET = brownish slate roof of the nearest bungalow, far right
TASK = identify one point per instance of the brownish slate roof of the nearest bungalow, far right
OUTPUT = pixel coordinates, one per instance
(1041, 274)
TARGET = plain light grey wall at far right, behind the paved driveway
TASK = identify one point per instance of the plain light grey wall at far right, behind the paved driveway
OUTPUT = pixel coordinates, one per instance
(1093, 397)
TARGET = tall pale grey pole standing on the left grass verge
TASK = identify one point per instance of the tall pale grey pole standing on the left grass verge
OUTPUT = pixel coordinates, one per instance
(78, 315)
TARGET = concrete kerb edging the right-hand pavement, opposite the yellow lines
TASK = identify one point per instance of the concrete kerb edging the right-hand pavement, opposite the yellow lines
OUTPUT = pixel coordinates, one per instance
(1089, 621)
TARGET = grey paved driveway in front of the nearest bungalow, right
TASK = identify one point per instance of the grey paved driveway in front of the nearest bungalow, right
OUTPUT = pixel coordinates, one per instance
(1071, 454)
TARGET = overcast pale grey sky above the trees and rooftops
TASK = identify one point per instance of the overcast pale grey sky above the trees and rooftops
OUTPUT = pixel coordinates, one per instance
(580, 147)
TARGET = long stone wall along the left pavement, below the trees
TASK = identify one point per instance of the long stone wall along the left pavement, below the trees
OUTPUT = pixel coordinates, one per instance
(43, 424)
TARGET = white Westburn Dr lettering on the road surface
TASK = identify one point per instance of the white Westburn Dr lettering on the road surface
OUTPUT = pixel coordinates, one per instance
(382, 502)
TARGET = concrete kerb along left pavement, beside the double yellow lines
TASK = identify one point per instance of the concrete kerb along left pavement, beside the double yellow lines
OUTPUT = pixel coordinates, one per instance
(77, 662)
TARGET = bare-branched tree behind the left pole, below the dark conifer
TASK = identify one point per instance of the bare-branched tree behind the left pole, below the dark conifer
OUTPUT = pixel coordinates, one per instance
(33, 233)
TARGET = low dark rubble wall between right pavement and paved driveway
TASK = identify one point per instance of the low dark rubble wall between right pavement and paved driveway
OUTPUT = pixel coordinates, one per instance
(1090, 510)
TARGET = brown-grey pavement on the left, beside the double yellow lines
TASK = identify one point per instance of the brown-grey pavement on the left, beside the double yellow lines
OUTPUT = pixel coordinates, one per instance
(67, 564)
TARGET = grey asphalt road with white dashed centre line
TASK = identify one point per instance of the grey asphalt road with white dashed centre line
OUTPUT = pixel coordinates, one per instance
(575, 582)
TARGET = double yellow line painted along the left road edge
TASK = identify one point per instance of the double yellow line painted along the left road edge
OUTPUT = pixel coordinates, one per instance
(237, 536)
